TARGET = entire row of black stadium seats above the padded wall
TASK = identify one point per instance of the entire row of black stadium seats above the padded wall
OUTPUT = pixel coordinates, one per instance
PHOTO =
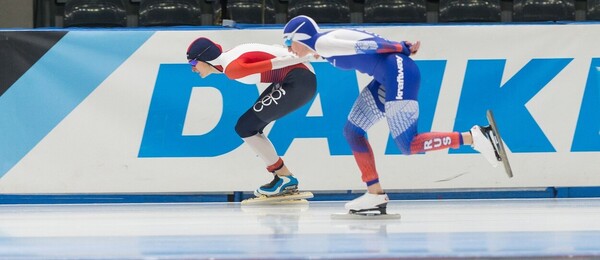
(107, 13)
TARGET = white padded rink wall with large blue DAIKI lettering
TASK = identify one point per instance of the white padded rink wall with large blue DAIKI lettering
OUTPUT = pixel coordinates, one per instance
(119, 112)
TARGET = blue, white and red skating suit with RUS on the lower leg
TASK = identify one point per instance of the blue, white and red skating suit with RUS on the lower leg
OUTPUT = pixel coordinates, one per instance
(392, 94)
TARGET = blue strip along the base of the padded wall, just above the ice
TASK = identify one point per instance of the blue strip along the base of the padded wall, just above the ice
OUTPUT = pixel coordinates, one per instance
(236, 197)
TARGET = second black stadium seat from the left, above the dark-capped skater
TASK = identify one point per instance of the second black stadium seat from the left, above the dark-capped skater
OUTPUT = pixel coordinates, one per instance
(169, 12)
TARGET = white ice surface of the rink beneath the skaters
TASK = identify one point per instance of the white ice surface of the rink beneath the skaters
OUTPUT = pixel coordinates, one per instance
(428, 229)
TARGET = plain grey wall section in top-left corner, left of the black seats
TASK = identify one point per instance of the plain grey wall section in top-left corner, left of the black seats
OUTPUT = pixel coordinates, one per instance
(16, 13)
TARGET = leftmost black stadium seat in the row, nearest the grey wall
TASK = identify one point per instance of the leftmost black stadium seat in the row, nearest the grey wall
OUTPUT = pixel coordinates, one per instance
(95, 13)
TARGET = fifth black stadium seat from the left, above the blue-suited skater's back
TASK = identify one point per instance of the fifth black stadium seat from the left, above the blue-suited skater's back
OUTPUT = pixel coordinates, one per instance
(395, 11)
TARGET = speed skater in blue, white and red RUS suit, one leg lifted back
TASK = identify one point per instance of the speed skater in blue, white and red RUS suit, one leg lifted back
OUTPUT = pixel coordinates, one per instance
(392, 94)
